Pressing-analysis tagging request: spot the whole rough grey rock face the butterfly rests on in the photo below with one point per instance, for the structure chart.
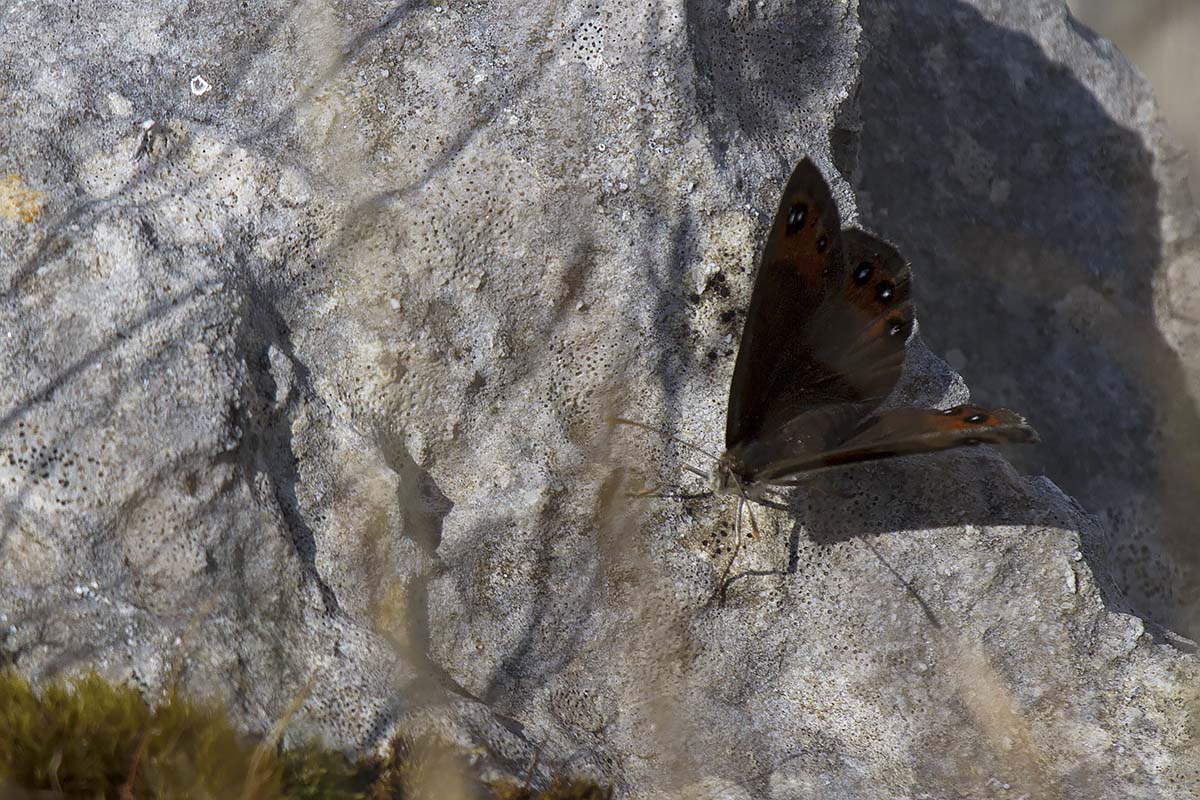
(314, 315)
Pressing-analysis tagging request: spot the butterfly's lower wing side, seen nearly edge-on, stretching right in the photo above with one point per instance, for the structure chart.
(905, 432)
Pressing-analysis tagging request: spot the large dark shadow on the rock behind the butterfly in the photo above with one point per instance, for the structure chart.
(1035, 236)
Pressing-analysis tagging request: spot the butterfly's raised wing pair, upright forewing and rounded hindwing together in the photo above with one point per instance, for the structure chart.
(829, 321)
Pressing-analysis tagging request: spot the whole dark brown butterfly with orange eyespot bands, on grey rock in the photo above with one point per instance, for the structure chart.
(824, 346)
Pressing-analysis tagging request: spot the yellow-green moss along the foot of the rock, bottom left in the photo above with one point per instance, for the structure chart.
(89, 738)
